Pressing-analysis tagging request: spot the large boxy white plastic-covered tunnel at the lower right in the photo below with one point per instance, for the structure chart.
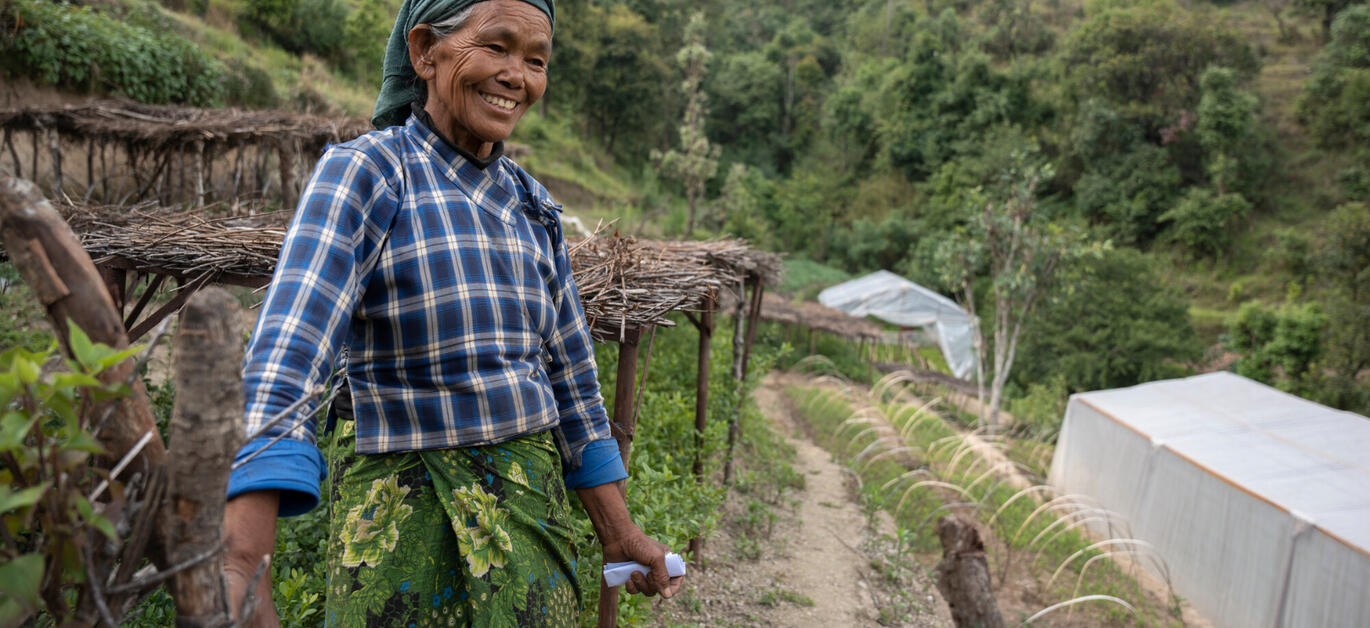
(1258, 501)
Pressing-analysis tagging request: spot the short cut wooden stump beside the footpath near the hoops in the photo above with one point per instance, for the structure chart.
(964, 577)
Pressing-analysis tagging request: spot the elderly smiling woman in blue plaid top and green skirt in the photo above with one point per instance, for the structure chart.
(440, 268)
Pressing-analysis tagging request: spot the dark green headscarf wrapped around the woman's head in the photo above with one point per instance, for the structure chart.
(393, 106)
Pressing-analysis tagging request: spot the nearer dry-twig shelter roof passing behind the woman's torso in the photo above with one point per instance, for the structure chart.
(624, 283)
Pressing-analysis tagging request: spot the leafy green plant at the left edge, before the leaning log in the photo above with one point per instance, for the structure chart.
(51, 527)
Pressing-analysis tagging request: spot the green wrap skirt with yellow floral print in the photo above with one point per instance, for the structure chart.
(451, 538)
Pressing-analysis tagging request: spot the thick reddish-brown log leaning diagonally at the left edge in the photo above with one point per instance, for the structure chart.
(62, 278)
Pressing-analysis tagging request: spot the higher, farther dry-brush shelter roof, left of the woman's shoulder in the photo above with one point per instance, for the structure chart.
(180, 128)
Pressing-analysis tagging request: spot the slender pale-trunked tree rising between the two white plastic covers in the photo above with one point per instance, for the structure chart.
(1023, 256)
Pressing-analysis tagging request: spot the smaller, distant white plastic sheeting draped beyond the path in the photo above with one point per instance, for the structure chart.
(901, 302)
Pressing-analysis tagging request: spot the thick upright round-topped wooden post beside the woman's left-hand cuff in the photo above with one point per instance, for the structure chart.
(205, 435)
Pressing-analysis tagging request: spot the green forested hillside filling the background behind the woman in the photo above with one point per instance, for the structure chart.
(1202, 168)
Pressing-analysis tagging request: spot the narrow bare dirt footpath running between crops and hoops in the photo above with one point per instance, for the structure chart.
(816, 570)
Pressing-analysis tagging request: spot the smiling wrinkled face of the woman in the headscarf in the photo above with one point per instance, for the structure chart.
(484, 76)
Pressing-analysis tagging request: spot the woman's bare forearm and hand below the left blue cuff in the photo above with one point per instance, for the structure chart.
(249, 537)
